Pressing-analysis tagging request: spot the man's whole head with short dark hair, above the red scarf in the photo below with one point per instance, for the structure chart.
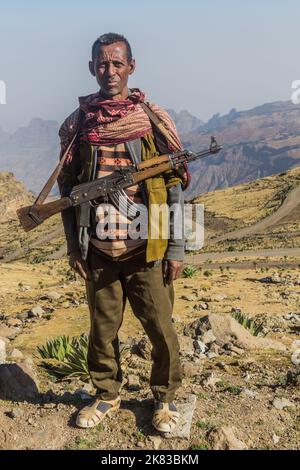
(111, 64)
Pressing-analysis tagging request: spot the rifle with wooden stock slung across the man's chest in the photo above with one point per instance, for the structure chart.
(32, 216)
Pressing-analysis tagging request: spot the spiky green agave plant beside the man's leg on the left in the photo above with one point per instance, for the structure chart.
(66, 357)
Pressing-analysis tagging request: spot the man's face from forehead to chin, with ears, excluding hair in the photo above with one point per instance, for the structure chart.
(111, 69)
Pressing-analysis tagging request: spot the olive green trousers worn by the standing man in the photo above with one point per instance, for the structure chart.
(108, 285)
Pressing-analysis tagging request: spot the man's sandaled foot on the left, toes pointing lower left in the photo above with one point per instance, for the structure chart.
(94, 413)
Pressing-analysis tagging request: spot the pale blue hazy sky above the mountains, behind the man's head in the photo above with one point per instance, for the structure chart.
(206, 56)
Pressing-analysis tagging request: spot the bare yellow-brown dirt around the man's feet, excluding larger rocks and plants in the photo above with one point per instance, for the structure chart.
(49, 421)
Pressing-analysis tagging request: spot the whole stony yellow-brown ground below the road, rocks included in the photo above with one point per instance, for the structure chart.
(239, 391)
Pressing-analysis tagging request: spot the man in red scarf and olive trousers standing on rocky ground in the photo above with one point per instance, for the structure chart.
(115, 131)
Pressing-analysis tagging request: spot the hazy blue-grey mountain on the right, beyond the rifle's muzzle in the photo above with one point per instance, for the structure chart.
(258, 142)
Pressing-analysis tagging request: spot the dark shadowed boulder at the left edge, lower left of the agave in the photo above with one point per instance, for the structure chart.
(17, 382)
